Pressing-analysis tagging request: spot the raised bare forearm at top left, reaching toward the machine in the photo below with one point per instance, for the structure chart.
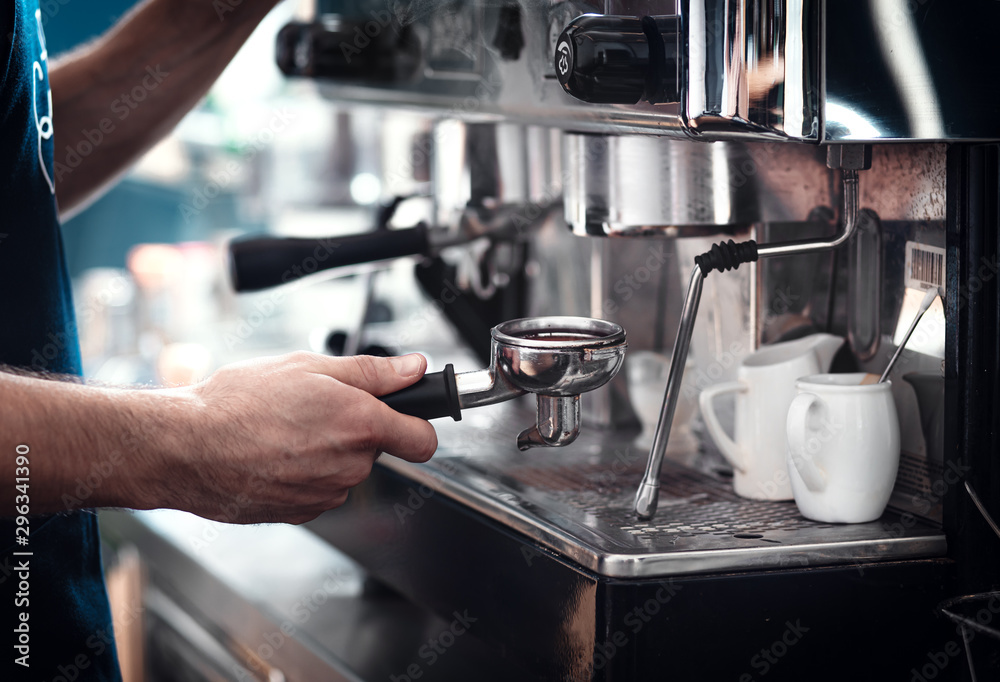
(114, 99)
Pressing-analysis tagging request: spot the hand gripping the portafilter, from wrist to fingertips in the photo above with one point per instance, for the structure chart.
(284, 439)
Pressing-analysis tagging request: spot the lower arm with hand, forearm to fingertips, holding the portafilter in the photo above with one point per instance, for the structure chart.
(275, 439)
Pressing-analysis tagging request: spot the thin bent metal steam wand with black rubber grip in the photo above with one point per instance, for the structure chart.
(726, 256)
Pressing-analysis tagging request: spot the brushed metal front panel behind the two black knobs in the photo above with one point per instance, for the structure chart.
(486, 87)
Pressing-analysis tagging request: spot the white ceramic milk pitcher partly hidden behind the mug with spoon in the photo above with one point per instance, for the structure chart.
(764, 388)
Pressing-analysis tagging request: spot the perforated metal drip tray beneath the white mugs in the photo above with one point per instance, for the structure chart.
(577, 502)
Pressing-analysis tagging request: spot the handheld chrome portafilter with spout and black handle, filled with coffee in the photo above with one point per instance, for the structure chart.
(556, 358)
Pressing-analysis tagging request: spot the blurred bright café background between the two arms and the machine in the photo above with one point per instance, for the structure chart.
(261, 153)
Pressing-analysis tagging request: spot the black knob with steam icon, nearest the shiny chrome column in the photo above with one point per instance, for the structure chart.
(607, 59)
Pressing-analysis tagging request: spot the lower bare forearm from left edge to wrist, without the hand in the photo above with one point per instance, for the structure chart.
(87, 446)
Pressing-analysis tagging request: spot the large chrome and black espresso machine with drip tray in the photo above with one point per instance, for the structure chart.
(709, 177)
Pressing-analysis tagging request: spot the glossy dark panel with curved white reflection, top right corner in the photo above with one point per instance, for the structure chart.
(911, 70)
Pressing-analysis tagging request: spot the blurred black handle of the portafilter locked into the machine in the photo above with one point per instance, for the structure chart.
(262, 262)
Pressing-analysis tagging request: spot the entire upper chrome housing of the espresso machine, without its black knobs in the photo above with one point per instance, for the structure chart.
(792, 69)
